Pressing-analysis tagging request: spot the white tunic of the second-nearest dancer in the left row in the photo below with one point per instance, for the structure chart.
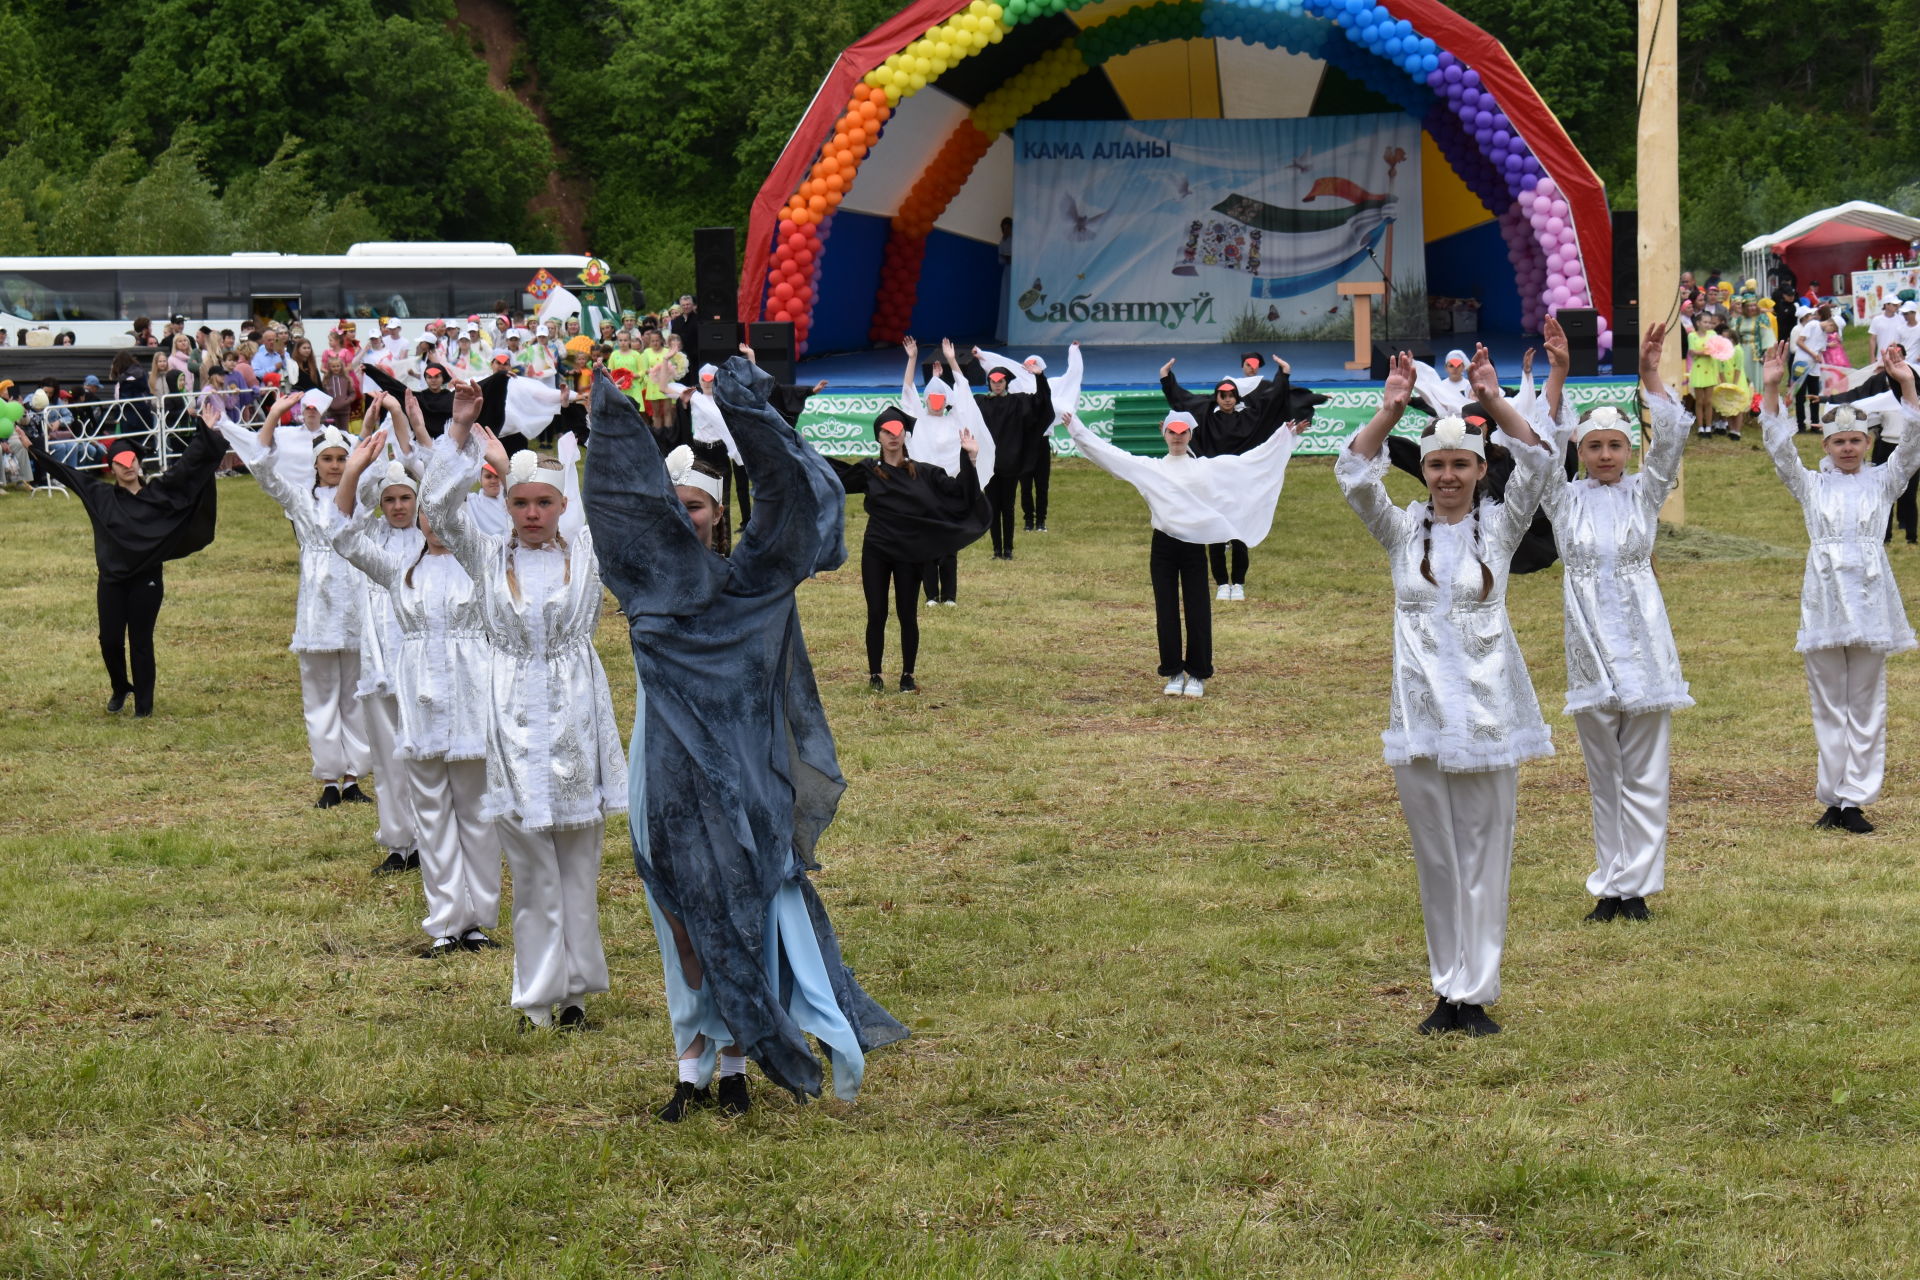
(441, 667)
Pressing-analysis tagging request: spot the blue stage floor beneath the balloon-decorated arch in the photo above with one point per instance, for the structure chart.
(1111, 367)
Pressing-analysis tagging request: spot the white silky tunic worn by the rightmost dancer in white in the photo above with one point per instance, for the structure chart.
(1848, 596)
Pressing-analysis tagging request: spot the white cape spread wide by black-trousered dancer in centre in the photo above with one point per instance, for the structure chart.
(1220, 500)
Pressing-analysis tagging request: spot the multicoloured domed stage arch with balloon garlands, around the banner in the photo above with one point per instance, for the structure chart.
(892, 151)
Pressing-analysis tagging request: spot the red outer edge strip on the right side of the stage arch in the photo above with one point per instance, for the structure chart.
(1581, 187)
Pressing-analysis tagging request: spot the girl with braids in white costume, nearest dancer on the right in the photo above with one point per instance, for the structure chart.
(1464, 713)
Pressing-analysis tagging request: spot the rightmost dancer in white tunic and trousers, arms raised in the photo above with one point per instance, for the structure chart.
(1852, 613)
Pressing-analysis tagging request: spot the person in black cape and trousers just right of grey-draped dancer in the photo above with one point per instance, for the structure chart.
(915, 513)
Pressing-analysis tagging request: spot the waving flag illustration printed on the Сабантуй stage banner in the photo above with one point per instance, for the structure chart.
(1322, 245)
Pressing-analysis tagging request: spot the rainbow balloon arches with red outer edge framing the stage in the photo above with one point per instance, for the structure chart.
(1476, 105)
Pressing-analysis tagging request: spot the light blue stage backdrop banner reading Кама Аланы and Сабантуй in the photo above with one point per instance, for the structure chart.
(1212, 231)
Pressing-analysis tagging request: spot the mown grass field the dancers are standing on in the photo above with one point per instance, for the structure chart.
(1163, 960)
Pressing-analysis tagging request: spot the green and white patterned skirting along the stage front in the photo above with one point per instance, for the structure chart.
(842, 425)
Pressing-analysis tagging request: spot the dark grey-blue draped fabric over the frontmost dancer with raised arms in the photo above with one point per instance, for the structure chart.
(738, 759)
